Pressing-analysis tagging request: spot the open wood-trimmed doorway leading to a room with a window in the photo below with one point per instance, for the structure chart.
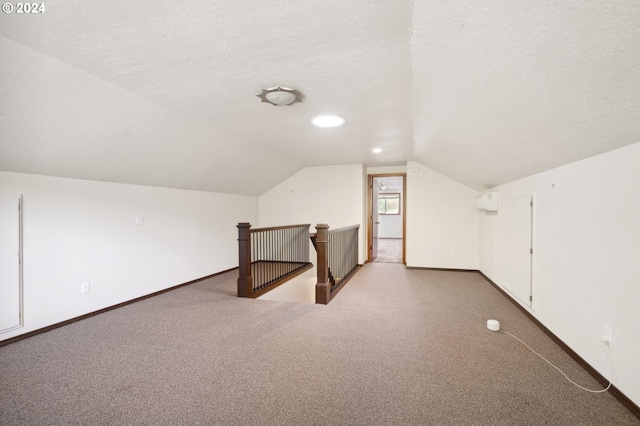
(386, 218)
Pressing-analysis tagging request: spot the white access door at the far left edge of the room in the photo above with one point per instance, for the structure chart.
(10, 284)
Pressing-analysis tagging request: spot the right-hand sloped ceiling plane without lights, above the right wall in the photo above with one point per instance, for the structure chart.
(506, 89)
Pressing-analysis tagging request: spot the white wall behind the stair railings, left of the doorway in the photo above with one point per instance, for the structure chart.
(322, 194)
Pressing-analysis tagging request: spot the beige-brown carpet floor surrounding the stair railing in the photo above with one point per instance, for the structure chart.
(396, 347)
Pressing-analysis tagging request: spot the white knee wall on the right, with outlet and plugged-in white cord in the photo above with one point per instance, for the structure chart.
(586, 261)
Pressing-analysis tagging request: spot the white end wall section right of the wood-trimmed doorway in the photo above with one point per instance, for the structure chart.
(440, 218)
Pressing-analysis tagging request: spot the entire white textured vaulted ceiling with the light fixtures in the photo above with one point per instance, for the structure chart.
(164, 93)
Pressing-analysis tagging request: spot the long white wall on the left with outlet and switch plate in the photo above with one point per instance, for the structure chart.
(77, 231)
